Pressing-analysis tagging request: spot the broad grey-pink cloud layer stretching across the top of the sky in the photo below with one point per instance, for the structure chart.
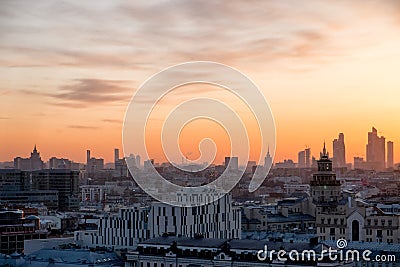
(259, 32)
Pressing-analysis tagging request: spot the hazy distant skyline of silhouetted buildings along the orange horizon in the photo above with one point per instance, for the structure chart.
(304, 157)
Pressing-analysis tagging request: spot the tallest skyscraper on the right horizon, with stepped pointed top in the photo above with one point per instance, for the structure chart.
(375, 150)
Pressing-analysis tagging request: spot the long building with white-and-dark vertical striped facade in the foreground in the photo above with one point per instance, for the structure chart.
(132, 225)
